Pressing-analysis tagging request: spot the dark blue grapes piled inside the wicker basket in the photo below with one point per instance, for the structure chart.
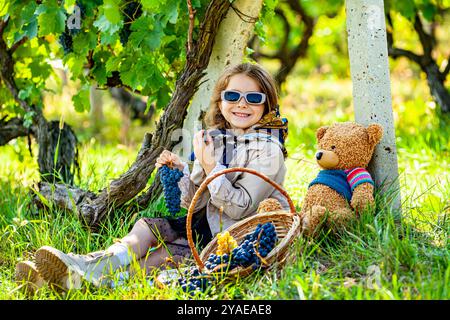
(263, 240)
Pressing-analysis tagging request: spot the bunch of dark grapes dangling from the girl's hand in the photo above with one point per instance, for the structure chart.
(172, 194)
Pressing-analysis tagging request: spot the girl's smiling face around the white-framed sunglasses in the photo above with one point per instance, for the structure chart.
(240, 114)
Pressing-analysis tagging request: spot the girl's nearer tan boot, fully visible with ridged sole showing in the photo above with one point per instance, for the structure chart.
(65, 271)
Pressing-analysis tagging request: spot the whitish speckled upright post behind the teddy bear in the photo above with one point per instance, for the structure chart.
(369, 68)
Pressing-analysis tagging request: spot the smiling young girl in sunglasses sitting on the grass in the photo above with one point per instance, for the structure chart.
(245, 130)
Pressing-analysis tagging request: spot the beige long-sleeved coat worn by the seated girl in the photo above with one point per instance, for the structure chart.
(239, 193)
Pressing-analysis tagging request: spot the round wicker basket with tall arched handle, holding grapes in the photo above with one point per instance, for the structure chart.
(287, 226)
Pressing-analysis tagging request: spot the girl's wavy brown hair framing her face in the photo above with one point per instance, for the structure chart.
(214, 118)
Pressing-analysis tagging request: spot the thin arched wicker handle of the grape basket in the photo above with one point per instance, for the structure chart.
(202, 188)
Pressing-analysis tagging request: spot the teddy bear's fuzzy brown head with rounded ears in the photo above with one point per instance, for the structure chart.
(347, 145)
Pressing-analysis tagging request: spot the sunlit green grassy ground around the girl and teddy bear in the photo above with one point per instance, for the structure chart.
(374, 259)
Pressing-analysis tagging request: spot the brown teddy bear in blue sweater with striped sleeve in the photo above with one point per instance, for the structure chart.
(344, 187)
